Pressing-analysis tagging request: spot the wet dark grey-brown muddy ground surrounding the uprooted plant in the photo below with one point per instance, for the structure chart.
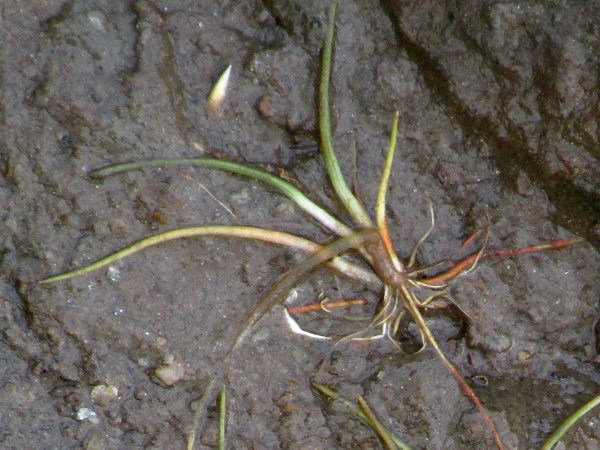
(498, 106)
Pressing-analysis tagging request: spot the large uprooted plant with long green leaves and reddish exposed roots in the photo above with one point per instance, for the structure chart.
(372, 241)
